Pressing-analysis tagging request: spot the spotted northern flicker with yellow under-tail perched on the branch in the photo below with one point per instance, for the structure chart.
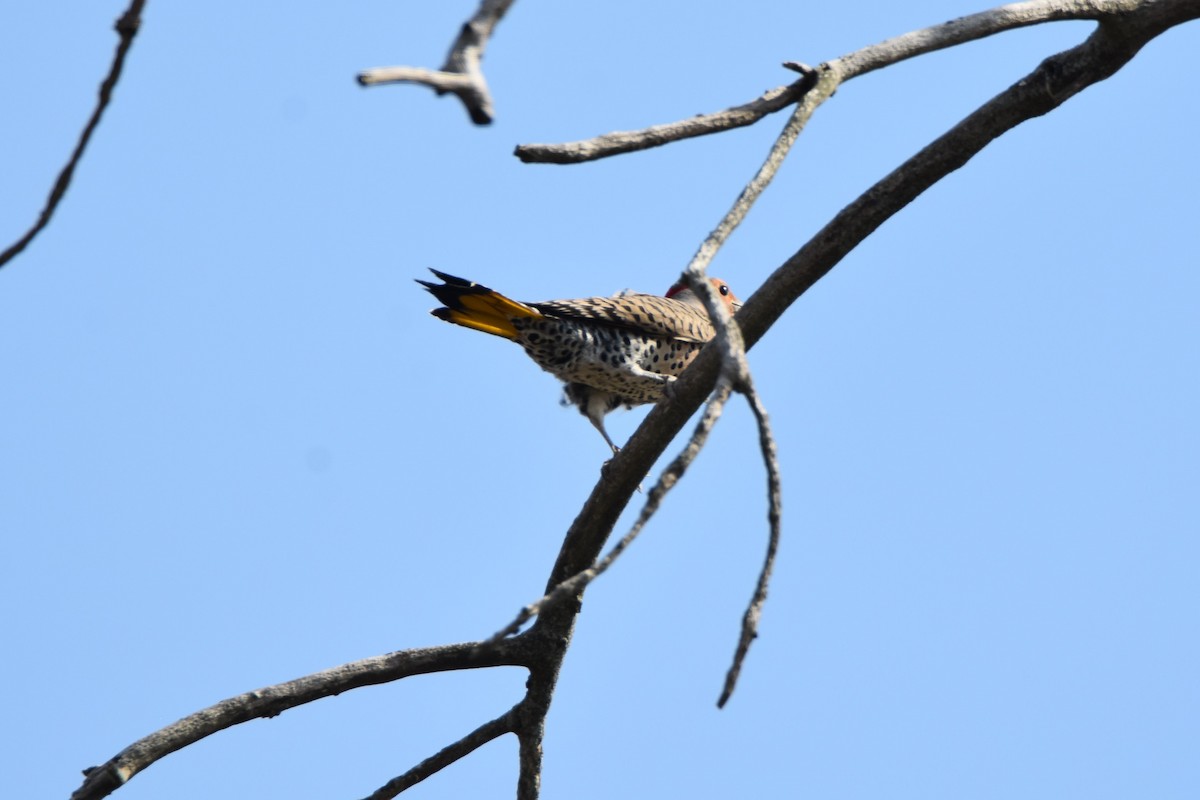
(611, 352)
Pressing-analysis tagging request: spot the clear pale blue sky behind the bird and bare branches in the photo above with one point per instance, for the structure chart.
(236, 449)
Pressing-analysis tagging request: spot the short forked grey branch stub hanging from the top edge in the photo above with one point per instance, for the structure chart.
(463, 74)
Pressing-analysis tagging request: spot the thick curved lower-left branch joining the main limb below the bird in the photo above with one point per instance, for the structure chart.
(273, 701)
